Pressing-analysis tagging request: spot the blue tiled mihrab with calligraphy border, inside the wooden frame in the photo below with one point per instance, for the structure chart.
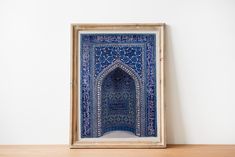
(118, 84)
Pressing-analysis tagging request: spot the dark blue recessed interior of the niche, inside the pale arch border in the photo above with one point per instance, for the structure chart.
(118, 102)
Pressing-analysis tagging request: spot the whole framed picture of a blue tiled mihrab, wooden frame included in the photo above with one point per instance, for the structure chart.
(117, 86)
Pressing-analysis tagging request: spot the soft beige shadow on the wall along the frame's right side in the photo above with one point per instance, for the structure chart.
(174, 120)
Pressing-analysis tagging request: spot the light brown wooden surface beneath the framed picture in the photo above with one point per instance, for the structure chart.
(64, 151)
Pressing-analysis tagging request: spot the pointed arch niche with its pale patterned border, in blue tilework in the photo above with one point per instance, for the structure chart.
(118, 100)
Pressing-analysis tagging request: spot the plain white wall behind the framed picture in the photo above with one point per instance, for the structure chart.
(35, 65)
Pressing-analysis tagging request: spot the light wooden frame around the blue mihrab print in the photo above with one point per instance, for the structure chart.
(75, 27)
